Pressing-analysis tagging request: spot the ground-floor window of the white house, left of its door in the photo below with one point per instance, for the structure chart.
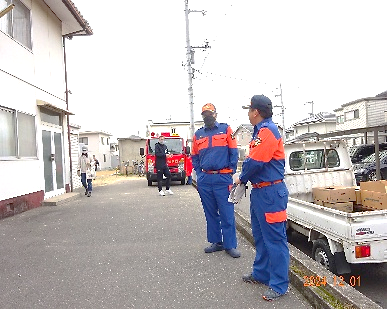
(17, 134)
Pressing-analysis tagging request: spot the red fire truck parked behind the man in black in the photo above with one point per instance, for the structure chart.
(176, 162)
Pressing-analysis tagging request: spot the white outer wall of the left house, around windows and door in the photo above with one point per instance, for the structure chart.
(25, 77)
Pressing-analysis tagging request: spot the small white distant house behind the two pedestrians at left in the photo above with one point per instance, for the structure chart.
(98, 144)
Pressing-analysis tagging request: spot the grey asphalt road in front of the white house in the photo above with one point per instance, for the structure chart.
(124, 247)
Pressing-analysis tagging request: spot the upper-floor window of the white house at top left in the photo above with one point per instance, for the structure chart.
(17, 23)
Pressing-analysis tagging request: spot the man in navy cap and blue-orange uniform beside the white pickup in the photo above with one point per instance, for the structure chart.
(265, 168)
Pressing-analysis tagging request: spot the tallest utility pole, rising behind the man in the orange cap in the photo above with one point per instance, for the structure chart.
(190, 61)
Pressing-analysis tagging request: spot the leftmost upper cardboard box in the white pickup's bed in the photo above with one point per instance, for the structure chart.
(334, 194)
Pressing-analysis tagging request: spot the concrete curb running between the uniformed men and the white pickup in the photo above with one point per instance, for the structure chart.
(303, 268)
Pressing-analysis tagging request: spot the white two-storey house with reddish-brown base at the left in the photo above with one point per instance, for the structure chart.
(34, 151)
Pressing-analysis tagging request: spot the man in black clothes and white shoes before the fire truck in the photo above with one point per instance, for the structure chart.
(161, 152)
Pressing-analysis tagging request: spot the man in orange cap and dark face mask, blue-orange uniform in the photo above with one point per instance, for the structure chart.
(215, 158)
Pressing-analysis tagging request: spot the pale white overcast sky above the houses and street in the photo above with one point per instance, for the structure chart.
(130, 70)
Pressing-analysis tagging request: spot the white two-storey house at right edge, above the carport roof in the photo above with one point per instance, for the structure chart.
(361, 113)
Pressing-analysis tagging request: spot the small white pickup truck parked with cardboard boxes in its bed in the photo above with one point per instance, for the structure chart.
(339, 238)
